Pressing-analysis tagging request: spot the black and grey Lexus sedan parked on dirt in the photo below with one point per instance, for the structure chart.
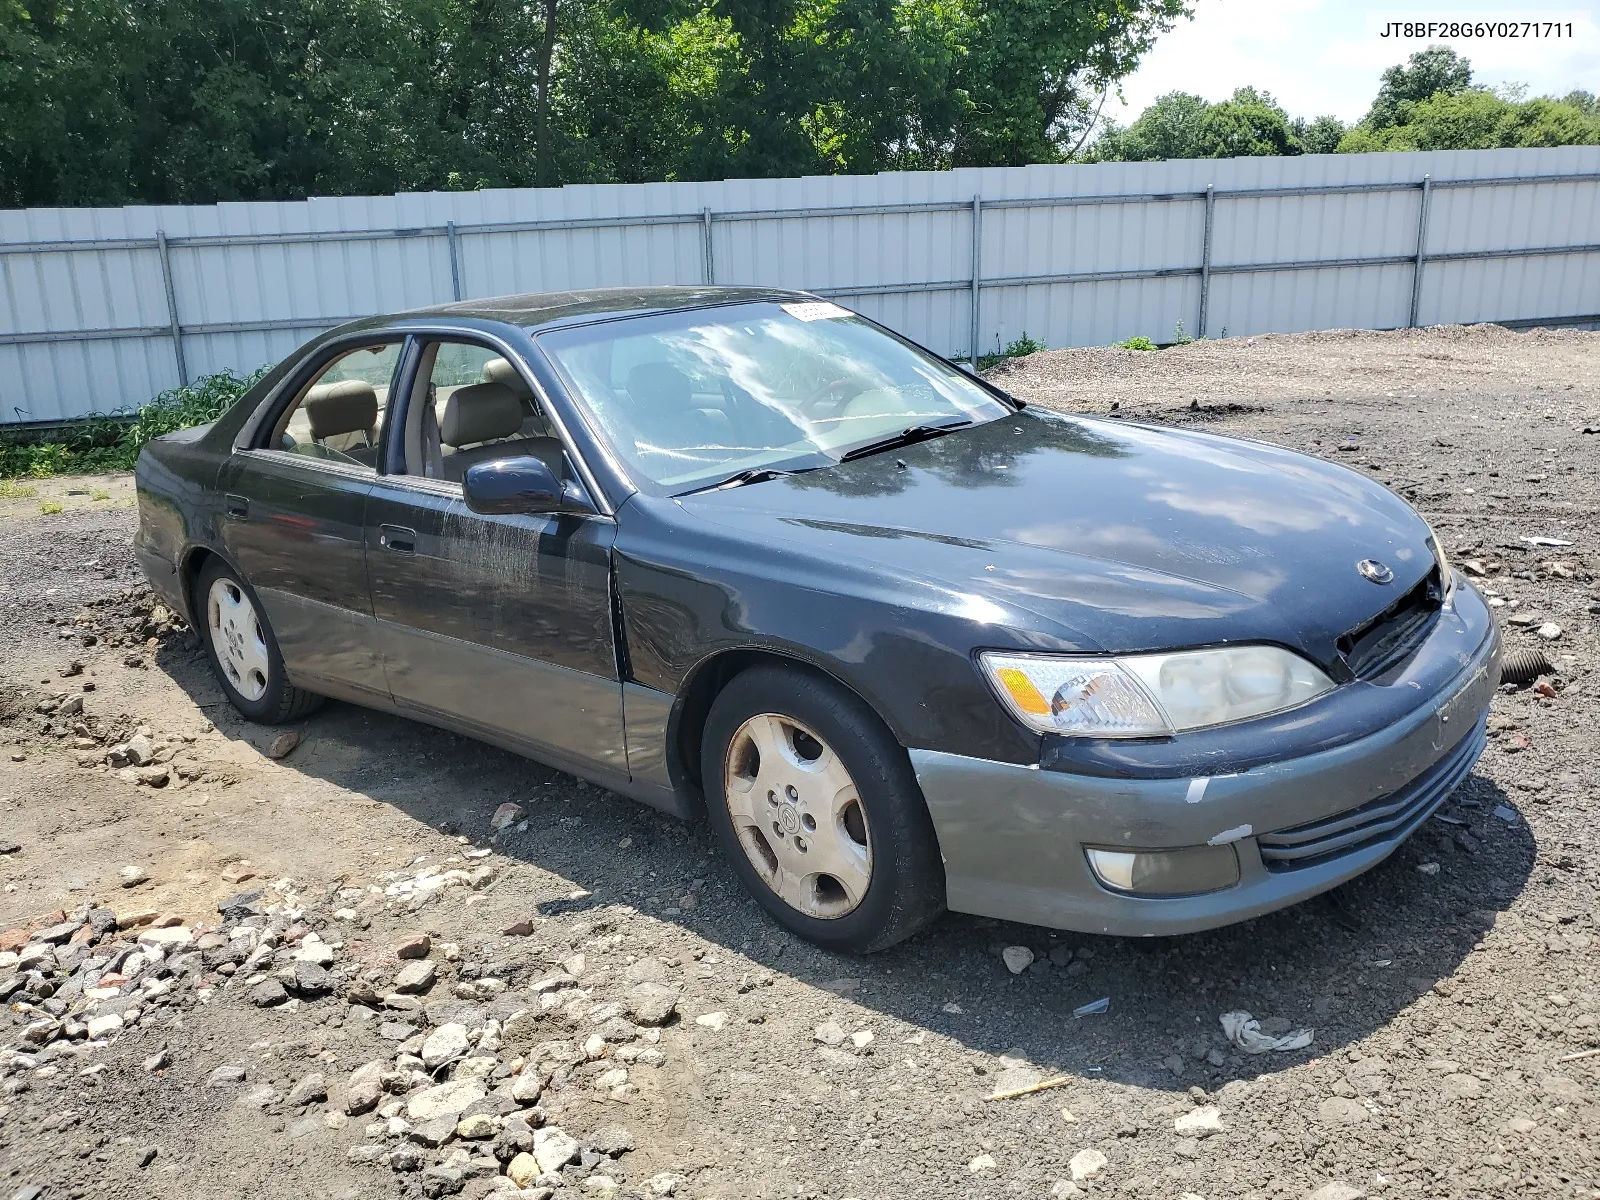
(905, 641)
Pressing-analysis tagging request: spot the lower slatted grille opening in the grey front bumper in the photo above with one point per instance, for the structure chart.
(1390, 818)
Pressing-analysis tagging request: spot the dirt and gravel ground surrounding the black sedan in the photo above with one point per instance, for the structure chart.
(1444, 990)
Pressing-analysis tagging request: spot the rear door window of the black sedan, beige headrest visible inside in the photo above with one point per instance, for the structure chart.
(340, 414)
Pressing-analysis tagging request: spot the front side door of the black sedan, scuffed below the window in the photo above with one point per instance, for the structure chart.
(498, 625)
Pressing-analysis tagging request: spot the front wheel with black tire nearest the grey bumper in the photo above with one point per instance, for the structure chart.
(828, 828)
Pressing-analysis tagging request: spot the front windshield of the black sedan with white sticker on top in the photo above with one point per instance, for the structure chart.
(689, 399)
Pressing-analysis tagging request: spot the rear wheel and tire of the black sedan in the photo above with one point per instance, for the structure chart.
(242, 649)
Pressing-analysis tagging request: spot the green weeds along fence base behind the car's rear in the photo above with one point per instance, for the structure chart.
(102, 442)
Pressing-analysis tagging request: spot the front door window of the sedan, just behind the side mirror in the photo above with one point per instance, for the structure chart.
(478, 409)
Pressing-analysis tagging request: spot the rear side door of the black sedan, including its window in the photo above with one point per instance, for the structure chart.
(294, 519)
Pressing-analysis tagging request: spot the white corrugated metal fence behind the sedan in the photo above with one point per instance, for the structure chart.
(100, 310)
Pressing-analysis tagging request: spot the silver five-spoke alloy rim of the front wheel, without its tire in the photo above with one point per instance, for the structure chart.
(799, 817)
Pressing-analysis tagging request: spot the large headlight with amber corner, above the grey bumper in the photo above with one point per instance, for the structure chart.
(1151, 695)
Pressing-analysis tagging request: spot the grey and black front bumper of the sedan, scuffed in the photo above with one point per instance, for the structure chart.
(1014, 838)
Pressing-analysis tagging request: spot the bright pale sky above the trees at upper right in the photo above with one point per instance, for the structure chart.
(1326, 57)
